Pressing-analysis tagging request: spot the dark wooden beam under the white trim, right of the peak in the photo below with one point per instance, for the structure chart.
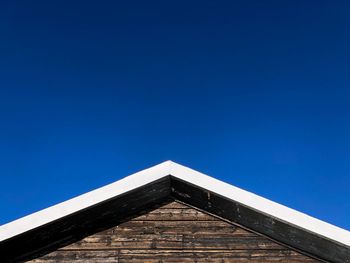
(291, 235)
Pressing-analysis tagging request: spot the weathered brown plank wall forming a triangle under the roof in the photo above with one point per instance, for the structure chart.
(175, 233)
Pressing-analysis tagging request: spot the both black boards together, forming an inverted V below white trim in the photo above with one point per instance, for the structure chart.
(114, 211)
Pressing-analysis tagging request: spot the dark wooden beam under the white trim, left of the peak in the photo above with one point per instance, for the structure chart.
(69, 229)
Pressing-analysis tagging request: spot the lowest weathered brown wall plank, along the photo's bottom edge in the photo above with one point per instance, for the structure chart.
(175, 256)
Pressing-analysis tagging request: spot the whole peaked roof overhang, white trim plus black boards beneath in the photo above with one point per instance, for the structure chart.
(114, 204)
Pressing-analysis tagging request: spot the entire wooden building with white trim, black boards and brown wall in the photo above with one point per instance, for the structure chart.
(170, 213)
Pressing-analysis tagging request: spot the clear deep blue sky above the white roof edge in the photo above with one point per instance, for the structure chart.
(255, 93)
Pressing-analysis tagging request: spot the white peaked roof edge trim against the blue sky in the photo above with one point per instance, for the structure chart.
(186, 174)
